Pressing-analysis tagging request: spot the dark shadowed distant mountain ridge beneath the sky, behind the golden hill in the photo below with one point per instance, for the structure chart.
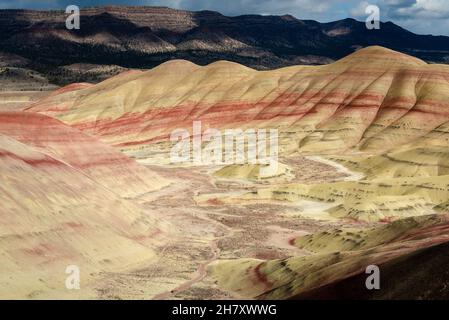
(143, 37)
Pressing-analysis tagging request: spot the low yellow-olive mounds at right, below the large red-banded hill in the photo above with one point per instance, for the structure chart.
(389, 186)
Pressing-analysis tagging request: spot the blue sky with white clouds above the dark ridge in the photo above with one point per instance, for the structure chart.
(420, 16)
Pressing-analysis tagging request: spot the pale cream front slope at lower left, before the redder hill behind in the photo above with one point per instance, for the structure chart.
(53, 215)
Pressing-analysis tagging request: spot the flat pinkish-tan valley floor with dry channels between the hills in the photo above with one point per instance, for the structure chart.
(206, 233)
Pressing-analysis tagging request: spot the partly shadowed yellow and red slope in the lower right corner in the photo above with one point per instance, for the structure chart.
(321, 275)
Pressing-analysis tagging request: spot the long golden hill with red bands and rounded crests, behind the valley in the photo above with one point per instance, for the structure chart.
(375, 99)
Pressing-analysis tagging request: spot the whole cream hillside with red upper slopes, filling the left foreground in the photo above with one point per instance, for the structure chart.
(63, 203)
